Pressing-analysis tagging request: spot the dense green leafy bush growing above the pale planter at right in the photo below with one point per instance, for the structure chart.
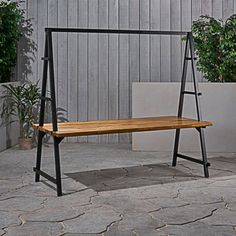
(215, 44)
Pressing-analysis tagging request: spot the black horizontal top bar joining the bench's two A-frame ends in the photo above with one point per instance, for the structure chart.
(115, 31)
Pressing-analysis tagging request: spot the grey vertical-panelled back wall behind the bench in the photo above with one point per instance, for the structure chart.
(94, 73)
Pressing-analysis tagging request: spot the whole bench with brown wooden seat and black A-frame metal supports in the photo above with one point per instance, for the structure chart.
(60, 130)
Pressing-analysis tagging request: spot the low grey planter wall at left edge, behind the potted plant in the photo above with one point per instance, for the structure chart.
(8, 133)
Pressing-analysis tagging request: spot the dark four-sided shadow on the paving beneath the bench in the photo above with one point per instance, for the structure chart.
(130, 177)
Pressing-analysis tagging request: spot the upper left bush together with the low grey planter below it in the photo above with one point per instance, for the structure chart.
(15, 42)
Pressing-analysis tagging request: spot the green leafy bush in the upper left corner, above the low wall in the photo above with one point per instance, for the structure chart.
(14, 29)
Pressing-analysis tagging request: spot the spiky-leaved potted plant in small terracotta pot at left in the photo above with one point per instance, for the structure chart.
(20, 104)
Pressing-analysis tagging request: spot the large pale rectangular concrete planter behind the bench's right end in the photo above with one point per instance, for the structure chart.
(160, 99)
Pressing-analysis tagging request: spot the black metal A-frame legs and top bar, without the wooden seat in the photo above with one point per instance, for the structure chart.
(48, 64)
